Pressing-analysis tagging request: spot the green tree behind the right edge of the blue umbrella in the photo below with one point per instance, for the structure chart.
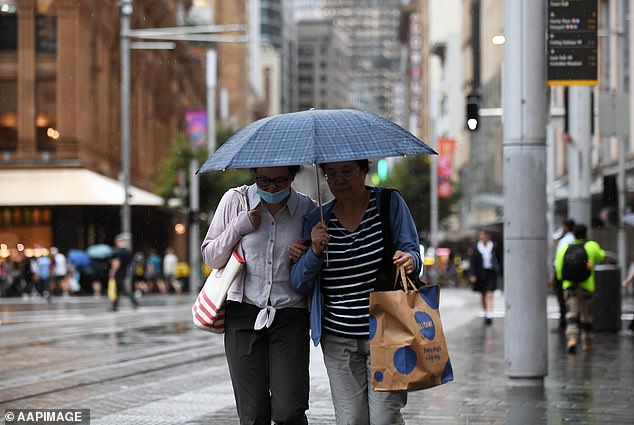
(411, 177)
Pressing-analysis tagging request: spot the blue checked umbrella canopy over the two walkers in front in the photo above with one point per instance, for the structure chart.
(314, 137)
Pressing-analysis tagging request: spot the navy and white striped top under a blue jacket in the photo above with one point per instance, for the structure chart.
(349, 275)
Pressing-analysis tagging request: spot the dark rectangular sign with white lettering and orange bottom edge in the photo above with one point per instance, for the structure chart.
(572, 42)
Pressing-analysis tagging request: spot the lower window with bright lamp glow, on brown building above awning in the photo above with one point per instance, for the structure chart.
(47, 133)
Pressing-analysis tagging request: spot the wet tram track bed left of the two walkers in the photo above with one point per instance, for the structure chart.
(56, 354)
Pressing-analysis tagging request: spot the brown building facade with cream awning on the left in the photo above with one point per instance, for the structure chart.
(60, 132)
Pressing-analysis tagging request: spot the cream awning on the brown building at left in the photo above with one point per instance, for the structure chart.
(67, 186)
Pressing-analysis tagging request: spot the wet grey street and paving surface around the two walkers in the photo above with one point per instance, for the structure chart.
(150, 366)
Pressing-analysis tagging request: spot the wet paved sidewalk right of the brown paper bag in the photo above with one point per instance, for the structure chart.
(586, 388)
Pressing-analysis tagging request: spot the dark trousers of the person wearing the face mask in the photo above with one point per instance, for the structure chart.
(268, 367)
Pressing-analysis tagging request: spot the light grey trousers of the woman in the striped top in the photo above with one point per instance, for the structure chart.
(356, 403)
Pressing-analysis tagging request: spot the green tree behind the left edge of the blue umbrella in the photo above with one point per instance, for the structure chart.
(212, 185)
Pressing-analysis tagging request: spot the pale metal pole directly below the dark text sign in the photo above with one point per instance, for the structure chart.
(578, 152)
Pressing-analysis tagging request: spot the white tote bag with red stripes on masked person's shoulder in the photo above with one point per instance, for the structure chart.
(208, 312)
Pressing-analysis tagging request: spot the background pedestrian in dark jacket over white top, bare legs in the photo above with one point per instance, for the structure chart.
(483, 270)
